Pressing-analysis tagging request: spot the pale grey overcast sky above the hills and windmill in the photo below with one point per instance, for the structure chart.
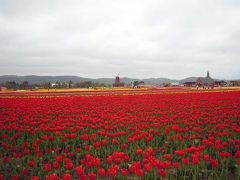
(135, 38)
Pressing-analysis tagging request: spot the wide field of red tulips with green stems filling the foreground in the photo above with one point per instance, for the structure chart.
(173, 135)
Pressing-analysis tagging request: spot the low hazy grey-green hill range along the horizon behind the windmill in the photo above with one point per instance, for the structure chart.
(32, 79)
